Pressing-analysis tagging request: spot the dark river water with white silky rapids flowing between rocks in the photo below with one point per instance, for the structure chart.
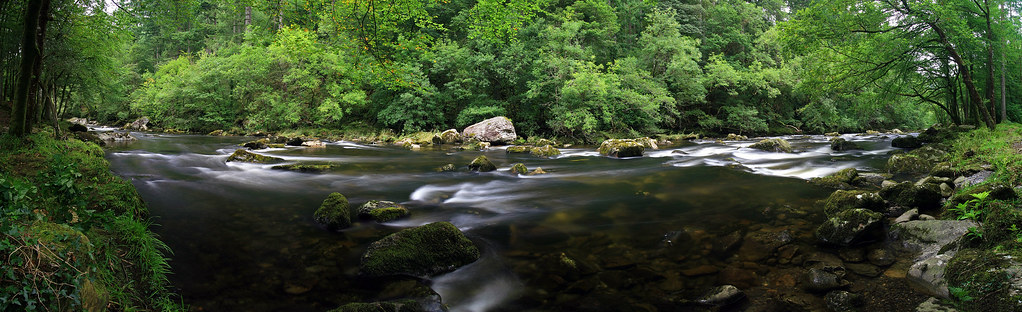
(641, 232)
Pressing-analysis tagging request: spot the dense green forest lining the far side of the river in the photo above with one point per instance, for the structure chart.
(572, 69)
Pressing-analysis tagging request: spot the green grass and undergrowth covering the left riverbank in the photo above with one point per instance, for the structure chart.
(73, 236)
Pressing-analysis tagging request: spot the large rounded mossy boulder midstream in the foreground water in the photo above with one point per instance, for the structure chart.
(422, 252)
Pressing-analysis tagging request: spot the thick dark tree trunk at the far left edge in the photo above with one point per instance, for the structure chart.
(20, 113)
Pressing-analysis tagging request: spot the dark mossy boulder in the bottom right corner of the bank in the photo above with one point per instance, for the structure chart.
(987, 281)
